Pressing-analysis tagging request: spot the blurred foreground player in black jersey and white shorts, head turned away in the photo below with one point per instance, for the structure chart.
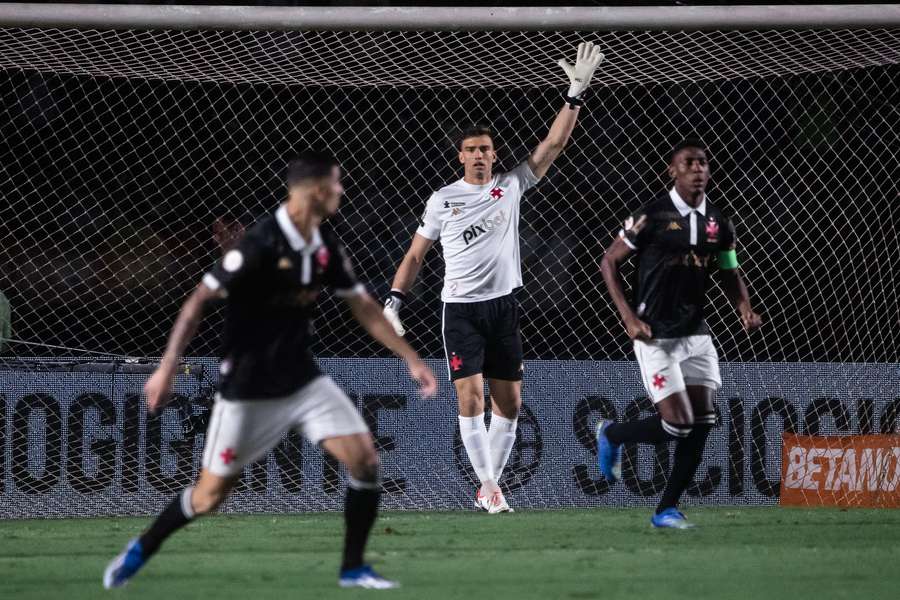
(270, 382)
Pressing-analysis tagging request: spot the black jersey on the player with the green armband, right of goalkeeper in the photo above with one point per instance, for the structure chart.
(676, 247)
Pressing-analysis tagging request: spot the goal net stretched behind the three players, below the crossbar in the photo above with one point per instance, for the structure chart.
(131, 157)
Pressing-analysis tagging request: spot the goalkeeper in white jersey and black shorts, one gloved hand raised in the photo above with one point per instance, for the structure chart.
(477, 220)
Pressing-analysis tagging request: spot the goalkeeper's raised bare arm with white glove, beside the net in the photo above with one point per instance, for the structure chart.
(588, 58)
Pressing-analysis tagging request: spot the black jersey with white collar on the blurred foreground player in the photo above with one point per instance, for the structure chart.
(271, 282)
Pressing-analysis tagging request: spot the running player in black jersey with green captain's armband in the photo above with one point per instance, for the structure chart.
(677, 238)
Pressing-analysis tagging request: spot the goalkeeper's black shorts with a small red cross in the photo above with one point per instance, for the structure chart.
(483, 337)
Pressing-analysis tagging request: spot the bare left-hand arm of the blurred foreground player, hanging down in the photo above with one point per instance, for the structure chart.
(158, 387)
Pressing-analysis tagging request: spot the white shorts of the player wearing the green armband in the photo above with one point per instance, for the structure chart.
(668, 365)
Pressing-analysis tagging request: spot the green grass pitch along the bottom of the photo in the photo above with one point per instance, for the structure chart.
(758, 553)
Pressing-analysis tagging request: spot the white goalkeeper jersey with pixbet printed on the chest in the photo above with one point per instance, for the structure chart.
(478, 226)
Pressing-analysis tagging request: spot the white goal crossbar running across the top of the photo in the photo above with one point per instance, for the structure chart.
(673, 18)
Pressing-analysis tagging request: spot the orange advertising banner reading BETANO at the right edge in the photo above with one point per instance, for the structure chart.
(848, 471)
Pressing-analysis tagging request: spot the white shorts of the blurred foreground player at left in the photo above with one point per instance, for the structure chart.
(242, 431)
